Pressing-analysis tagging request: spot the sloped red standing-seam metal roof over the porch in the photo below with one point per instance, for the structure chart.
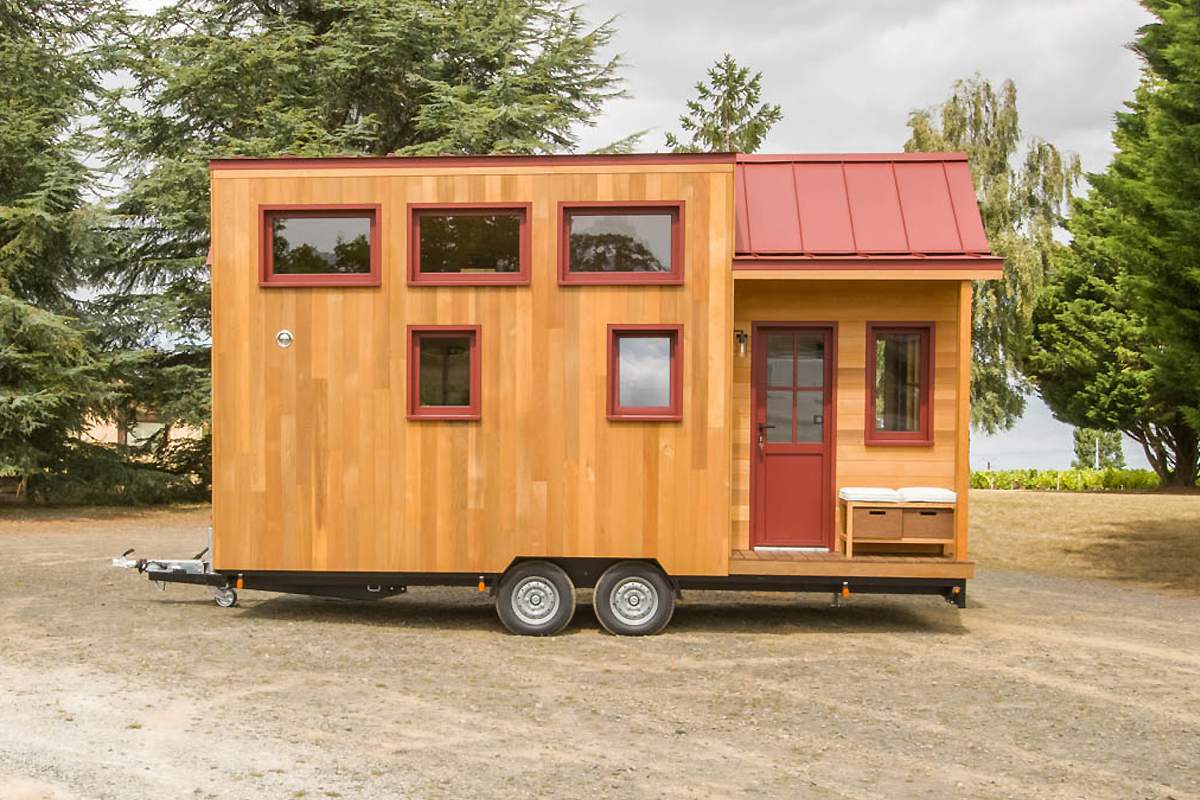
(896, 206)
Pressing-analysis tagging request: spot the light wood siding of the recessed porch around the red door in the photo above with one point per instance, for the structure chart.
(851, 306)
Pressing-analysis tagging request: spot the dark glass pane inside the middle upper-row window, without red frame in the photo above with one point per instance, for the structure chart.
(470, 243)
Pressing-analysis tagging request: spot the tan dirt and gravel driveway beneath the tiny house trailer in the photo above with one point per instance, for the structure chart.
(1047, 688)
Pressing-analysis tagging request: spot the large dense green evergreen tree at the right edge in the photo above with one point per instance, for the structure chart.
(1118, 334)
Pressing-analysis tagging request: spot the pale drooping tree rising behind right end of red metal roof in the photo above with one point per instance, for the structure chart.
(1023, 191)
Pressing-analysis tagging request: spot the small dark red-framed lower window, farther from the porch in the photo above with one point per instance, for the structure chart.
(443, 372)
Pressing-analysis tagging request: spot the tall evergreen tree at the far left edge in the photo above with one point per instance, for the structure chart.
(51, 378)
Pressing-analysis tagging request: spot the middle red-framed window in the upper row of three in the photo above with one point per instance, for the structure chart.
(479, 244)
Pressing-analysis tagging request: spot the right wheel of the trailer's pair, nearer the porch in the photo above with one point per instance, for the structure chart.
(634, 599)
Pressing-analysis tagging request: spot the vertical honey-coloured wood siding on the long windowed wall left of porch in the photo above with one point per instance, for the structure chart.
(316, 466)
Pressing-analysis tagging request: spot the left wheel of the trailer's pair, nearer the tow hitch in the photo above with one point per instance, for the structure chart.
(536, 599)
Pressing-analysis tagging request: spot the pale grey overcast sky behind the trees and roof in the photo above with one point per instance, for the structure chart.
(848, 74)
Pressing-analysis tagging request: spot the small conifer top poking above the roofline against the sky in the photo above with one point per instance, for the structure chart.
(727, 115)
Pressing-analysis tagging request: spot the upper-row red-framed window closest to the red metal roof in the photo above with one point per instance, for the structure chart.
(621, 244)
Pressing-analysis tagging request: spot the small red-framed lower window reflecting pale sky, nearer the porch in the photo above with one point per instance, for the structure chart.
(645, 372)
